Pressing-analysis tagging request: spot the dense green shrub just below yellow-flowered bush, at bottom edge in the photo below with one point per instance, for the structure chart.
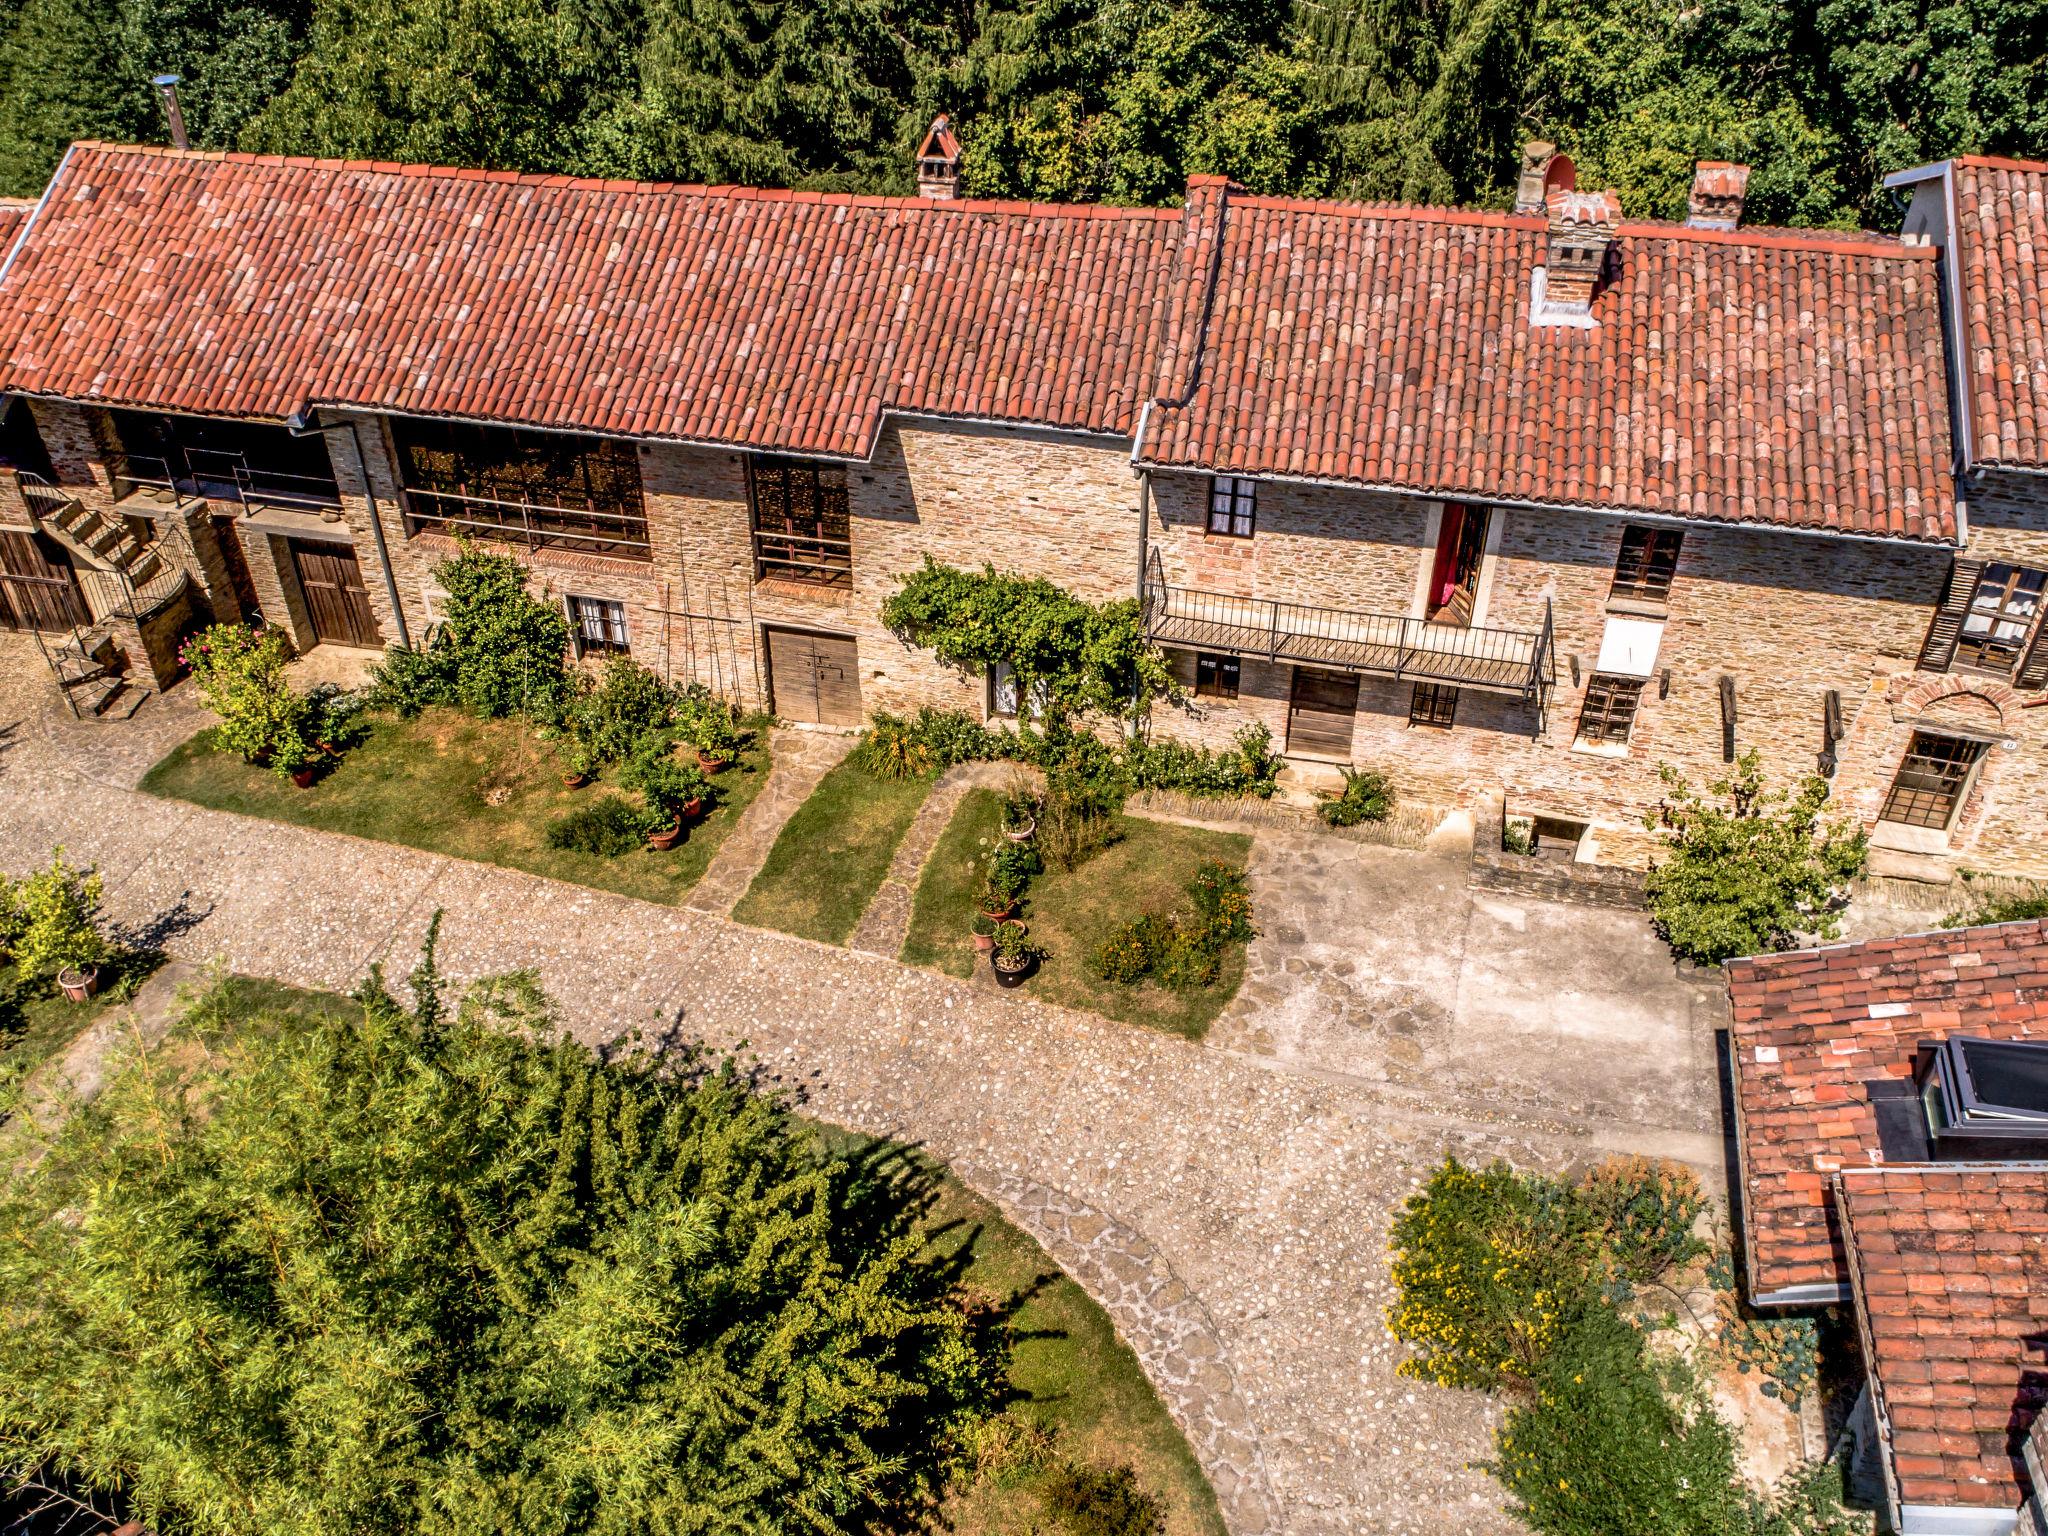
(1603, 1449)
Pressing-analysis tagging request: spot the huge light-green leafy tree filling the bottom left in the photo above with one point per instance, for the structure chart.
(445, 1271)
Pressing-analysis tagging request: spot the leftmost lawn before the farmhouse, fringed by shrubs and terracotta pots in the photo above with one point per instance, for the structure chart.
(458, 785)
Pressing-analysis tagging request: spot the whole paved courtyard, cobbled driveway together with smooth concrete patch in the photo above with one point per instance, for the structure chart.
(1230, 1203)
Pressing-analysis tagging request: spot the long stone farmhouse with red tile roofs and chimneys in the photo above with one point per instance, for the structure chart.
(1517, 507)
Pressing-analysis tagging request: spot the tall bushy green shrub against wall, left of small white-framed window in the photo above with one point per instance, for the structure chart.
(509, 646)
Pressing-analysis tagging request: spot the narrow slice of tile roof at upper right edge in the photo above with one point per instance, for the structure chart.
(2002, 257)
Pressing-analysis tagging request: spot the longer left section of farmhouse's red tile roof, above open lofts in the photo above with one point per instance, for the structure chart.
(255, 286)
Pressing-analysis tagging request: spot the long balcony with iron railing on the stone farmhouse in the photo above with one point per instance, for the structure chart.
(1394, 646)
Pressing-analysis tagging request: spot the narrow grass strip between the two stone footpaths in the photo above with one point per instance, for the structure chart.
(833, 855)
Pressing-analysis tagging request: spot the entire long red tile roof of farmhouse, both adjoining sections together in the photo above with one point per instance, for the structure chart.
(1752, 376)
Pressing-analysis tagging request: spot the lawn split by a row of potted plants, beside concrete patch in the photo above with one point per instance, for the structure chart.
(1072, 910)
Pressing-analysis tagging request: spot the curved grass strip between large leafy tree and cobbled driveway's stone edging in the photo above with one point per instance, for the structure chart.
(1074, 1377)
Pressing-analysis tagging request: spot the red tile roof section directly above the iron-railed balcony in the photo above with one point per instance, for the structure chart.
(1744, 376)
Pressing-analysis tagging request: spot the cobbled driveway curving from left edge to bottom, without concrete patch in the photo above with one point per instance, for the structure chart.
(1244, 1195)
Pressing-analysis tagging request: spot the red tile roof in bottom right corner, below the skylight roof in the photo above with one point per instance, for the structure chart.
(1953, 1299)
